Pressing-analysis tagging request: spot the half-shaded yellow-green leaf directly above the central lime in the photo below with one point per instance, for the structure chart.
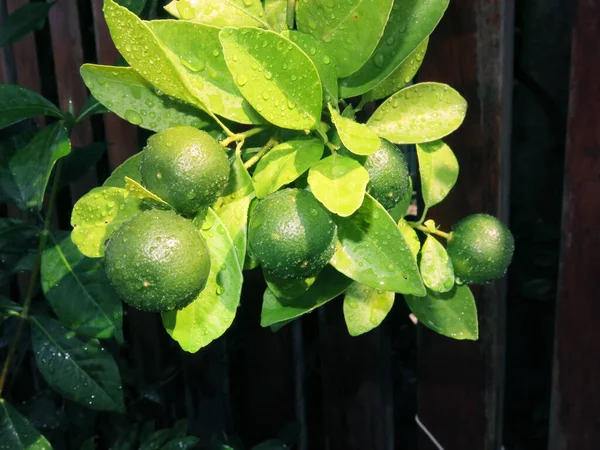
(285, 163)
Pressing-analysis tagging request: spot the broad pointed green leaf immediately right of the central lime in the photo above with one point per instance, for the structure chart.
(372, 250)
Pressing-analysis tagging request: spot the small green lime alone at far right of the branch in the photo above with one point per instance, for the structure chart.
(481, 248)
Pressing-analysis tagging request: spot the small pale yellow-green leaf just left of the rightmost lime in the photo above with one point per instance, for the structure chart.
(436, 267)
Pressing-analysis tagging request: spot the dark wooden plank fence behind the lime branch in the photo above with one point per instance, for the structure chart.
(525, 108)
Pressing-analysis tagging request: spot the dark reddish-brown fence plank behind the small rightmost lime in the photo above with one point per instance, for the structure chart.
(460, 383)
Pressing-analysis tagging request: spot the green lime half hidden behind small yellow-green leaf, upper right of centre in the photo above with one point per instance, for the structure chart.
(389, 175)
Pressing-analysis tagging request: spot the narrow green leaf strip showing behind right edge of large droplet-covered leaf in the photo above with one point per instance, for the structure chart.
(317, 52)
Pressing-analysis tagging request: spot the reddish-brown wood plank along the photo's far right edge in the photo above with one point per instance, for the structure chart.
(575, 389)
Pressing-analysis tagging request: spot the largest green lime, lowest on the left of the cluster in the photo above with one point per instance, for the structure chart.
(157, 261)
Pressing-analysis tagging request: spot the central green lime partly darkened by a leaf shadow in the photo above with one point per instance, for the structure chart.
(292, 234)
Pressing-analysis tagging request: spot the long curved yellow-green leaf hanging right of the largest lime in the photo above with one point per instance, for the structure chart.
(213, 311)
